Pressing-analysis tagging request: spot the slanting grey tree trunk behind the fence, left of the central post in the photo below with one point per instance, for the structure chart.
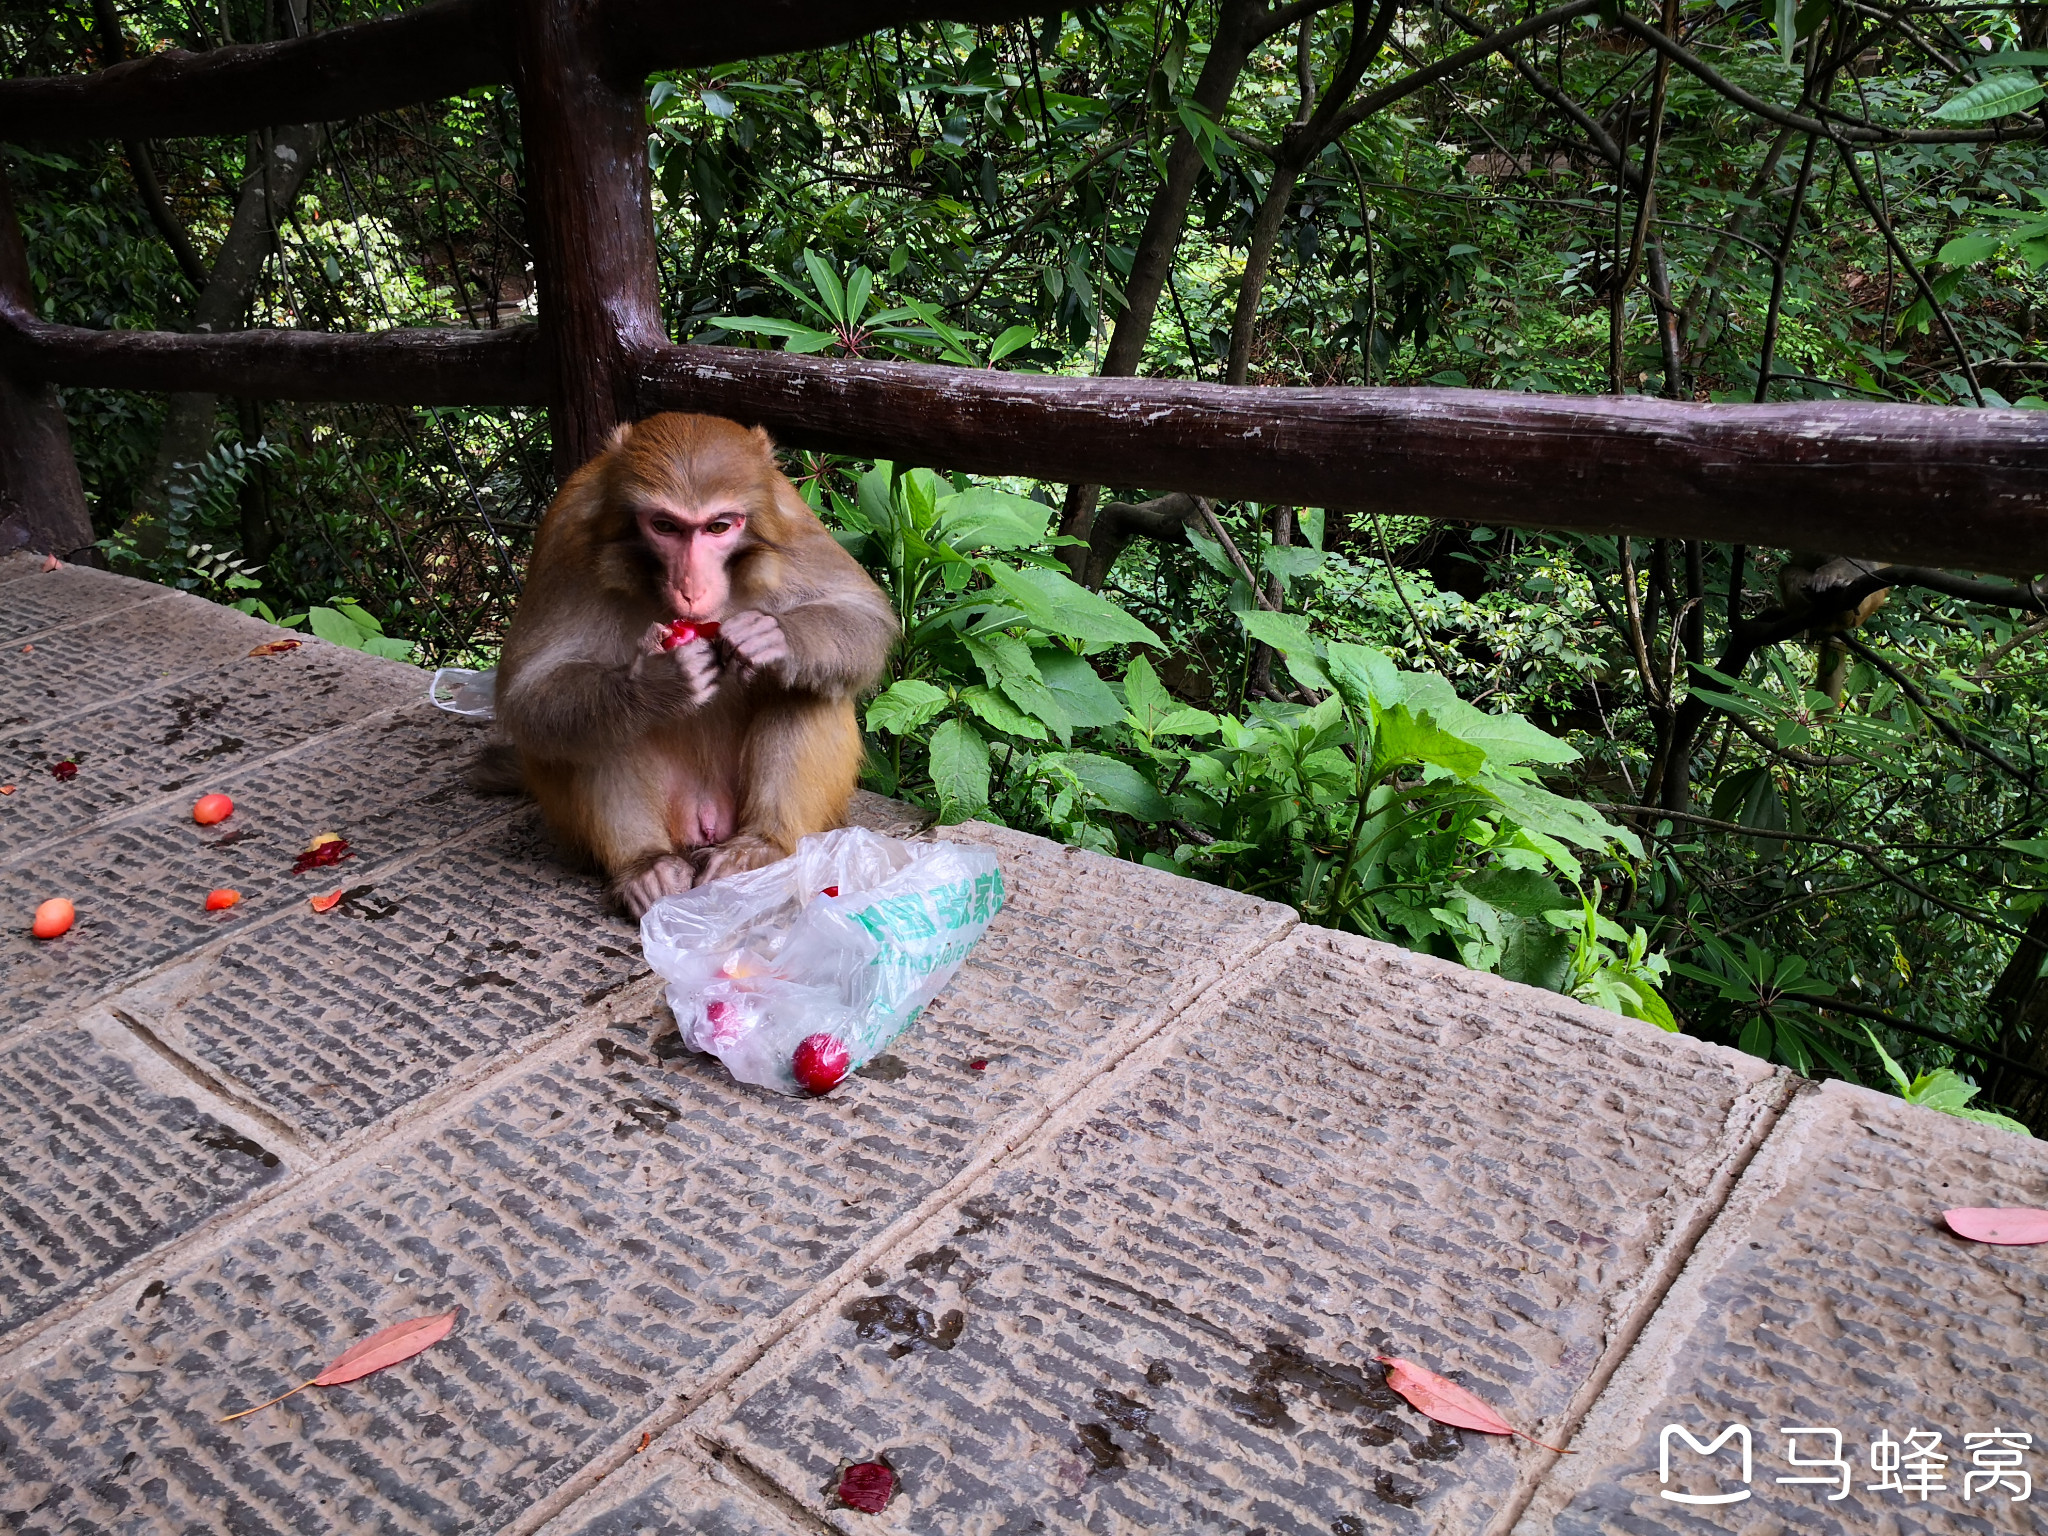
(191, 423)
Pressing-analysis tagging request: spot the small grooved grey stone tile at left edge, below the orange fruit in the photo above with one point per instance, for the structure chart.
(99, 1166)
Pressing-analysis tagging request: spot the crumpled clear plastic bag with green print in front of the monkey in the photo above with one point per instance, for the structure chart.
(849, 939)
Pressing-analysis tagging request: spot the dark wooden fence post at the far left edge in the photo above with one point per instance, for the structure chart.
(40, 488)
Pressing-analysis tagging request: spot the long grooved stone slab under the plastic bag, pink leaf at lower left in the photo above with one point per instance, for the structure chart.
(615, 1226)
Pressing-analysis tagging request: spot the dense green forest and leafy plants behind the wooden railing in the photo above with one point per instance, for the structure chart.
(1740, 792)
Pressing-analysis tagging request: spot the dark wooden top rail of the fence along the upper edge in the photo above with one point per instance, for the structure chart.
(437, 50)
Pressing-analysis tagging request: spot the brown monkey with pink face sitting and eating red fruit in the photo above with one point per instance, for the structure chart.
(675, 767)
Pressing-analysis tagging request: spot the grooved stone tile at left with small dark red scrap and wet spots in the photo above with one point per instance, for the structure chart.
(187, 734)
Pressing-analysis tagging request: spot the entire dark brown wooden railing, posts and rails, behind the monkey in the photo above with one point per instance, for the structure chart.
(1934, 486)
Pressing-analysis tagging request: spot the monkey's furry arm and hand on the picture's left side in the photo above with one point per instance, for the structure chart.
(577, 708)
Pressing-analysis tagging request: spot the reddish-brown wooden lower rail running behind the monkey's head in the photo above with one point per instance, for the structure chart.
(1916, 484)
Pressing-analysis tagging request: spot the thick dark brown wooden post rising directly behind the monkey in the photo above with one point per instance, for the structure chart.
(591, 224)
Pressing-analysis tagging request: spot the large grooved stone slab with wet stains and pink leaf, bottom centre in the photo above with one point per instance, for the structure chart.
(1168, 1318)
